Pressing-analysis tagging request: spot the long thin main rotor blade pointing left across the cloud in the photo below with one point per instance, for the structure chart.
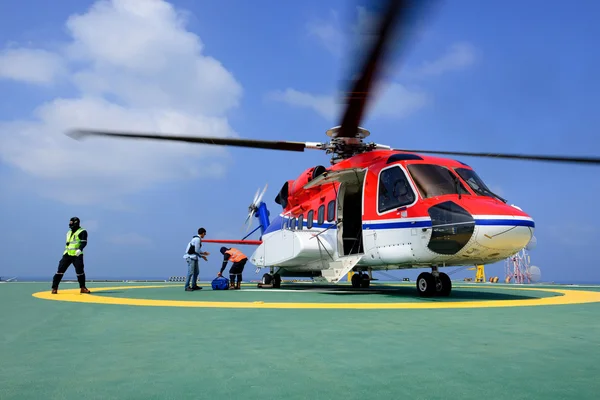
(252, 143)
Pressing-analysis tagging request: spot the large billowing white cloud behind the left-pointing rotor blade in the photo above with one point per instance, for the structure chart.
(136, 68)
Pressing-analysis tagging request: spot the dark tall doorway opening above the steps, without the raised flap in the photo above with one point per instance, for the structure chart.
(349, 208)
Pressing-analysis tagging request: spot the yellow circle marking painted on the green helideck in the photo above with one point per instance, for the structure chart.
(73, 295)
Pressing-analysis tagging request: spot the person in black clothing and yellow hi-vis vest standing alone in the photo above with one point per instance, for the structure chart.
(73, 254)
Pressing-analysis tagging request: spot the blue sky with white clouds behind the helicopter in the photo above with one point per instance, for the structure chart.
(494, 76)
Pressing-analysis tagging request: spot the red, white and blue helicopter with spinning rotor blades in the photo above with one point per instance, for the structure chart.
(376, 207)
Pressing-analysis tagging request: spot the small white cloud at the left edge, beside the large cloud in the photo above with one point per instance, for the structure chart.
(31, 66)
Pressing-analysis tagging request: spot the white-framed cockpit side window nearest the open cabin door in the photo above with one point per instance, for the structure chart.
(394, 190)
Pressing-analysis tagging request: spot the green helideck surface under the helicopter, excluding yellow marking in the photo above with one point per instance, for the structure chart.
(64, 350)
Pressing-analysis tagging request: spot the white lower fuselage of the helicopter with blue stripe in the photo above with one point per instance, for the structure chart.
(390, 244)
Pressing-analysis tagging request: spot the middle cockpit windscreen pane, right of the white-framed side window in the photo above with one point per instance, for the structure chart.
(435, 180)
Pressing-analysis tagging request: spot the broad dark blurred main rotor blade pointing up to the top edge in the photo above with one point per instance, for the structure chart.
(360, 91)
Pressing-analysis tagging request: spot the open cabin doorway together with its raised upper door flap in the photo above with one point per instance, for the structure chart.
(349, 207)
